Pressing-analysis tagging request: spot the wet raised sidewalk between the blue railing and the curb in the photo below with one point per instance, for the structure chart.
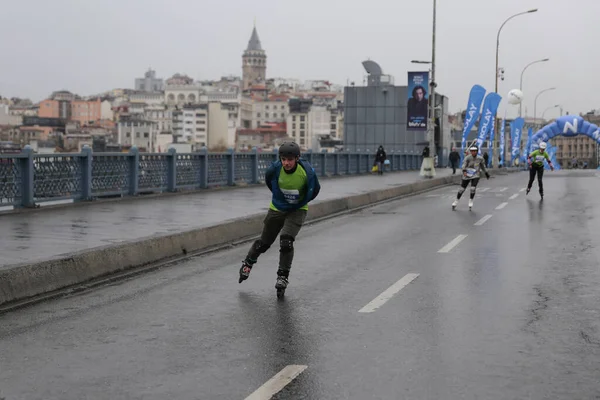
(45, 233)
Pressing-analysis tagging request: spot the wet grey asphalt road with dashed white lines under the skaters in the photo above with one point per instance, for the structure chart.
(510, 312)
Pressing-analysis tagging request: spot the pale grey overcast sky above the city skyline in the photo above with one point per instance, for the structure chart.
(92, 46)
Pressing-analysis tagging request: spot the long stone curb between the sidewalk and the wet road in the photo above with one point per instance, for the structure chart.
(24, 281)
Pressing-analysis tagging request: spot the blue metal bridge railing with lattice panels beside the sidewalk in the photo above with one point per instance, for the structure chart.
(28, 178)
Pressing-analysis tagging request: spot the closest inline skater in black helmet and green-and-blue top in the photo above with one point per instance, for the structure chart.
(293, 184)
